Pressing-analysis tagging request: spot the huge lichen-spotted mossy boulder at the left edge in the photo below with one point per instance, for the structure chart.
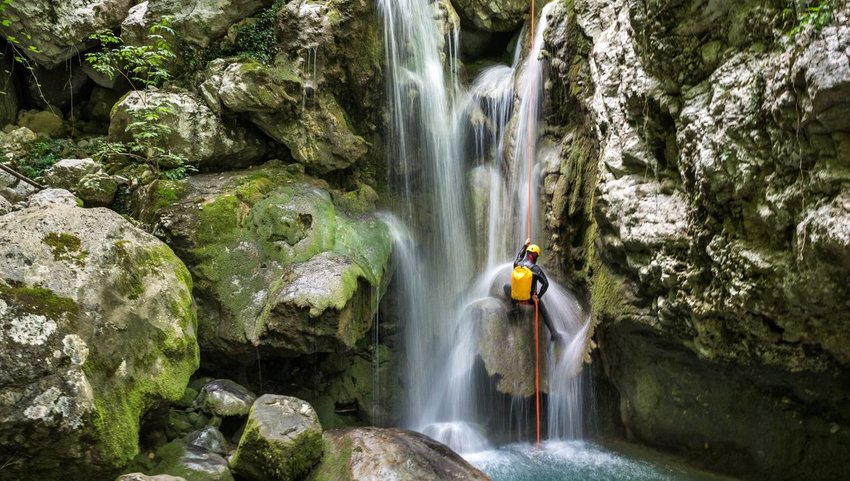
(98, 324)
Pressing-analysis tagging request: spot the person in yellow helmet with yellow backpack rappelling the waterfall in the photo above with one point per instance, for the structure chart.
(525, 278)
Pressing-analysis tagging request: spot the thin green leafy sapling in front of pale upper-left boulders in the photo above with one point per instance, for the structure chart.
(145, 67)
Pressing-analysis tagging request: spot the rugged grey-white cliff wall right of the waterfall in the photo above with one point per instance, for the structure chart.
(702, 201)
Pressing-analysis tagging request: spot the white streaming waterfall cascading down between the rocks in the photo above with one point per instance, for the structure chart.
(437, 294)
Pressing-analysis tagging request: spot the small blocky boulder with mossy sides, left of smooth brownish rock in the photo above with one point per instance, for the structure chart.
(282, 440)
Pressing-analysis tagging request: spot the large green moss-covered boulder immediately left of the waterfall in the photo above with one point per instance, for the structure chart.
(278, 265)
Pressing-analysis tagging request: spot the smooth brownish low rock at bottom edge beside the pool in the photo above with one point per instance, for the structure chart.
(361, 454)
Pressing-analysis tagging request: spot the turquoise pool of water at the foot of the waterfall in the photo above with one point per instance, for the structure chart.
(581, 460)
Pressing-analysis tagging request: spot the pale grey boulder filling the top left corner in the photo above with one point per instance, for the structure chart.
(59, 31)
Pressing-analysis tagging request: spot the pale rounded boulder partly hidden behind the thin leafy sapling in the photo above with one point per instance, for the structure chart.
(197, 133)
